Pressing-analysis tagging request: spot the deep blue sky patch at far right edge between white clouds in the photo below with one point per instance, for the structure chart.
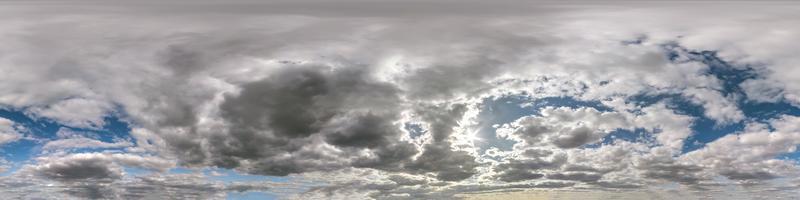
(730, 75)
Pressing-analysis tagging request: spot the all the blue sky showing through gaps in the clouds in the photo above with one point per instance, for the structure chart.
(493, 111)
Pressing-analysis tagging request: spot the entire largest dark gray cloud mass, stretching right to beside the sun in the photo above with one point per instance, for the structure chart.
(300, 108)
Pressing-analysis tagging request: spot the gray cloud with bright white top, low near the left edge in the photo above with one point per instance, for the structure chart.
(83, 175)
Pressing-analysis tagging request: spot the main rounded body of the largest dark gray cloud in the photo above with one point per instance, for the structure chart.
(299, 106)
